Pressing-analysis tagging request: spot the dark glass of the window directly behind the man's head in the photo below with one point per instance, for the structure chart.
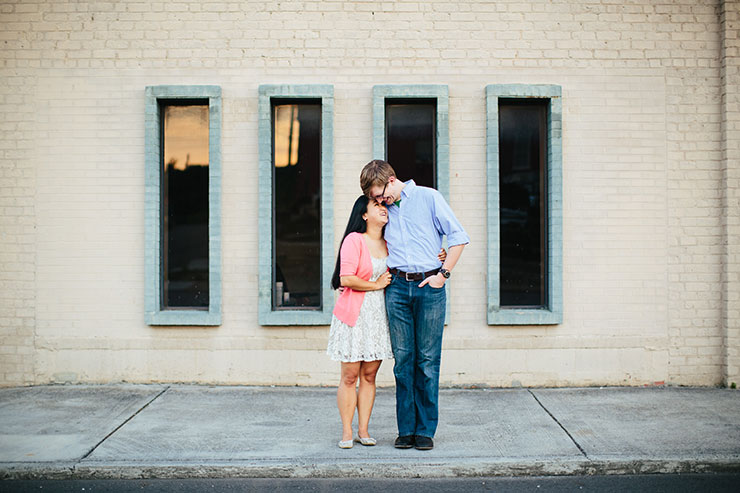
(411, 142)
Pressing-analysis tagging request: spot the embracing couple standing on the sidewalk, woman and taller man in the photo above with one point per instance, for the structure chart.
(405, 322)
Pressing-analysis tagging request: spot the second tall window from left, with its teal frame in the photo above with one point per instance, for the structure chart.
(295, 184)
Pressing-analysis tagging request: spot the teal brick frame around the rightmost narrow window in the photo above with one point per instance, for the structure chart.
(553, 313)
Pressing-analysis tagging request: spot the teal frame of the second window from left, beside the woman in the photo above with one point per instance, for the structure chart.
(286, 316)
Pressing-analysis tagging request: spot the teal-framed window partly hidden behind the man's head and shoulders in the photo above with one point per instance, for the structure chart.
(410, 131)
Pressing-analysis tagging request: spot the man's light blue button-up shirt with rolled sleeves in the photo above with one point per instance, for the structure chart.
(415, 229)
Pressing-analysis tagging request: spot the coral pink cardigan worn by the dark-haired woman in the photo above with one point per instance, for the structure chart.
(354, 261)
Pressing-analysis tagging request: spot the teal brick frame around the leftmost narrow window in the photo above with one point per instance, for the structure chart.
(155, 315)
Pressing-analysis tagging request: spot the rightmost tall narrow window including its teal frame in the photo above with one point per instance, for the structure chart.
(524, 204)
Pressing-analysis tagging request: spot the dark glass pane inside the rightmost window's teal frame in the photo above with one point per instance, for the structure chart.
(522, 185)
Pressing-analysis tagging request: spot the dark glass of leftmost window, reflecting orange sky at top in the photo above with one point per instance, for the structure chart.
(185, 205)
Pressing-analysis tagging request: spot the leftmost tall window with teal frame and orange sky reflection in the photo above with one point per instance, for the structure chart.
(183, 267)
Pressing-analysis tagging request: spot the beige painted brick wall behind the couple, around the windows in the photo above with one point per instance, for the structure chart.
(643, 168)
